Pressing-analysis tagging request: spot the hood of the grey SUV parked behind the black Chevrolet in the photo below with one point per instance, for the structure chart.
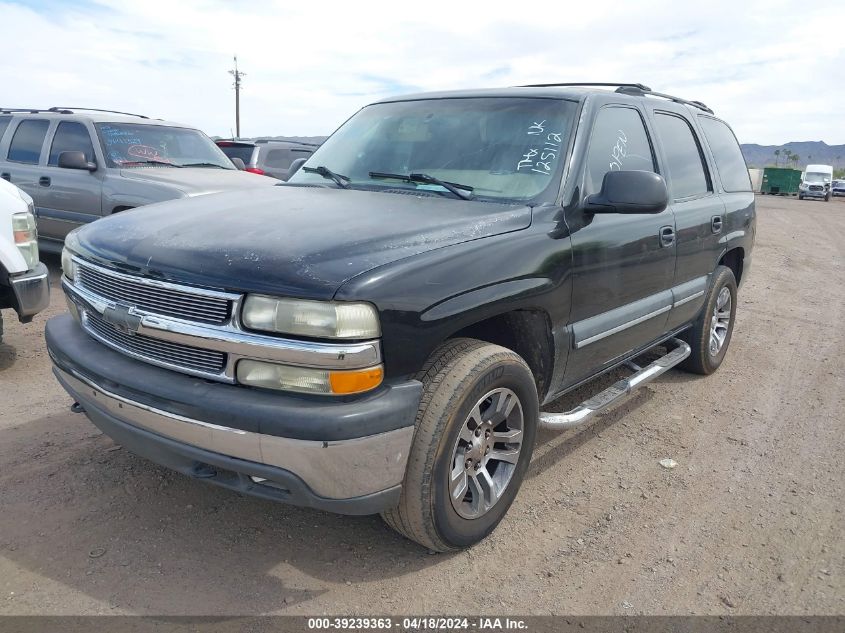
(198, 180)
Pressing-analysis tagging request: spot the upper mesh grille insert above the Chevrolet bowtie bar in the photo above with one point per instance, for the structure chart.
(157, 298)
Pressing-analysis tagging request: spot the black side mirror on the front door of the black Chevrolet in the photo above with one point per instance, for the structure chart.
(629, 192)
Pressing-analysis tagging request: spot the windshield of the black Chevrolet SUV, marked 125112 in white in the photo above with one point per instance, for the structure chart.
(495, 148)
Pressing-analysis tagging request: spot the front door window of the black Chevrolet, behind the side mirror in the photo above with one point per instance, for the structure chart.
(619, 142)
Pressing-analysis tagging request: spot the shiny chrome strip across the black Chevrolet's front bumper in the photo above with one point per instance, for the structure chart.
(335, 470)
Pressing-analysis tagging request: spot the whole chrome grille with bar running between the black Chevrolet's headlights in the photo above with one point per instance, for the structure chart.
(188, 329)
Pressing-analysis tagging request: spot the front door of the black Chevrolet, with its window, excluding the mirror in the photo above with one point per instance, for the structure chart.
(623, 264)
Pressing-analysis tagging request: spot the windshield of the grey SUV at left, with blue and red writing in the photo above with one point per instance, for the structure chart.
(132, 145)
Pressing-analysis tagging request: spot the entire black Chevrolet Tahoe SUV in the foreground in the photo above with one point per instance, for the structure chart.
(381, 333)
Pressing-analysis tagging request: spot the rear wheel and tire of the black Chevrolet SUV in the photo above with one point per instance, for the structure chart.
(702, 359)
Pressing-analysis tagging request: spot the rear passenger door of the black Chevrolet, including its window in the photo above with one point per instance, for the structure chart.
(698, 209)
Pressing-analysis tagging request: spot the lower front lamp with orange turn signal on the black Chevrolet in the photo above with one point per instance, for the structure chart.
(301, 379)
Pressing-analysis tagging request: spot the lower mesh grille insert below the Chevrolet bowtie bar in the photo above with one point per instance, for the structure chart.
(191, 359)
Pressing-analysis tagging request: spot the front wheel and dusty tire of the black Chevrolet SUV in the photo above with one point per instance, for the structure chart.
(464, 377)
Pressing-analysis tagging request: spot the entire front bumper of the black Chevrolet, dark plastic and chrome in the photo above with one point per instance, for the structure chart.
(346, 457)
